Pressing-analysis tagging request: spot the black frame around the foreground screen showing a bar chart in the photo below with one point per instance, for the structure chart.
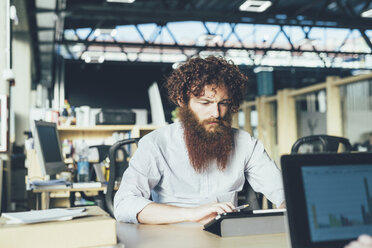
(295, 195)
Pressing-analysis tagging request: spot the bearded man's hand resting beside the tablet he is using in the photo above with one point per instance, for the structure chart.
(205, 213)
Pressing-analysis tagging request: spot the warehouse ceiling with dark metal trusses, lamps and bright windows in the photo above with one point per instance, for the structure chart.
(317, 33)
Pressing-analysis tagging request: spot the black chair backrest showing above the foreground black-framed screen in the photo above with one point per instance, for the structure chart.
(322, 144)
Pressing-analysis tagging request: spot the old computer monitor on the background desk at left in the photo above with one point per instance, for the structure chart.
(48, 148)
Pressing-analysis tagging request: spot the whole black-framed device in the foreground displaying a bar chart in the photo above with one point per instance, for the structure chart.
(329, 198)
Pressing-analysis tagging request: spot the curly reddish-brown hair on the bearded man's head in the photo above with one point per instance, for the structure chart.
(196, 73)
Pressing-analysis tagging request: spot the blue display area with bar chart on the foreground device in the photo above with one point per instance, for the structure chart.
(338, 201)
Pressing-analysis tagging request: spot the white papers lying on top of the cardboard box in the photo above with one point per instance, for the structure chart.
(36, 216)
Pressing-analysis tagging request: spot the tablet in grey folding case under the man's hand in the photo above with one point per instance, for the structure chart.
(248, 223)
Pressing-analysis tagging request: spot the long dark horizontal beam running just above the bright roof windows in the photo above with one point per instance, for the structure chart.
(77, 16)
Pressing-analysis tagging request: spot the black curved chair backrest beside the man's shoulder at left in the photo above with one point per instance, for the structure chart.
(114, 169)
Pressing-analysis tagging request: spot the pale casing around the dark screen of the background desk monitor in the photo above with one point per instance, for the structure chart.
(48, 168)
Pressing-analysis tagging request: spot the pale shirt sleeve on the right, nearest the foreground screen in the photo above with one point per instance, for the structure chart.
(263, 174)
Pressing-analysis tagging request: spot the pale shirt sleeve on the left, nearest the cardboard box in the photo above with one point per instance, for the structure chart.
(138, 180)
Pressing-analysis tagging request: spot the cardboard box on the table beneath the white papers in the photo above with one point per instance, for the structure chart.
(95, 229)
